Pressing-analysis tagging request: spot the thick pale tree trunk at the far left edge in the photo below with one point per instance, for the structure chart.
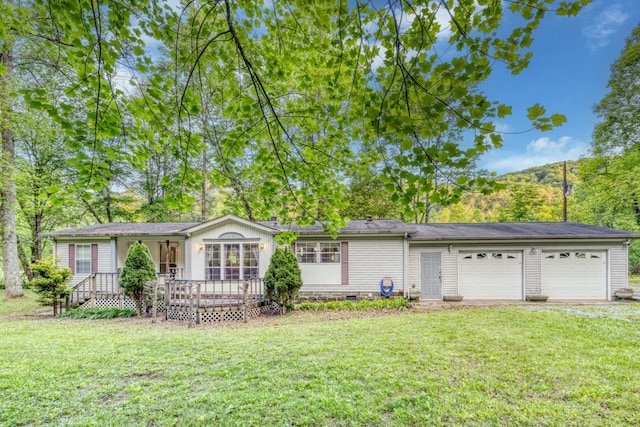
(10, 263)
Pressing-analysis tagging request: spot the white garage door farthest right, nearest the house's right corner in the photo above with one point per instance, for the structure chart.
(574, 274)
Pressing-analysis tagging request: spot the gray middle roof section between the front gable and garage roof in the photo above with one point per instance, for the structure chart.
(376, 226)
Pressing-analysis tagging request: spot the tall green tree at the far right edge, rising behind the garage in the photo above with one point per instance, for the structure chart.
(612, 177)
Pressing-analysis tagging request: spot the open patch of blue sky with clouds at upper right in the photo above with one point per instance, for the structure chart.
(568, 74)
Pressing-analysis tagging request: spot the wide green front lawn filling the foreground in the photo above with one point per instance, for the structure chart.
(497, 366)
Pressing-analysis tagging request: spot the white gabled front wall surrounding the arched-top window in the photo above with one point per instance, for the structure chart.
(255, 234)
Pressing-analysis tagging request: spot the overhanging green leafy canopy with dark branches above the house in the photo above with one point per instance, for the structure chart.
(277, 103)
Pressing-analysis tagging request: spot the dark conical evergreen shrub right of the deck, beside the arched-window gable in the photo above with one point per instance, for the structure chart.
(283, 278)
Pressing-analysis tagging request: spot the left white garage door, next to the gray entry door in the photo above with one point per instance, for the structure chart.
(490, 275)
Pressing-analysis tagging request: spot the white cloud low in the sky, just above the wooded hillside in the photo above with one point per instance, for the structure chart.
(538, 152)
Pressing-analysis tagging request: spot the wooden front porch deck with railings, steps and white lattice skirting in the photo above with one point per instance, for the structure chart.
(192, 301)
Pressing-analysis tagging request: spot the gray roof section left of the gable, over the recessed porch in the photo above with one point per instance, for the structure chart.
(126, 229)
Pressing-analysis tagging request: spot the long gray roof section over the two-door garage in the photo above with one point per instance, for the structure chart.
(517, 230)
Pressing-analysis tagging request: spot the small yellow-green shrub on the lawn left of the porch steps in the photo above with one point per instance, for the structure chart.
(50, 281)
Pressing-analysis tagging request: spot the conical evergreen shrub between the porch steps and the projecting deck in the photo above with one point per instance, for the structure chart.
(137, 272)
